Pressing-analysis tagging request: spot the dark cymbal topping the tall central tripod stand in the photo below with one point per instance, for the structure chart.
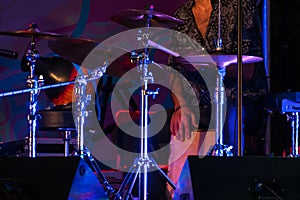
(134, 18)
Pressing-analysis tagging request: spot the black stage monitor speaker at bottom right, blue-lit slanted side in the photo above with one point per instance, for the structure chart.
(237, 178)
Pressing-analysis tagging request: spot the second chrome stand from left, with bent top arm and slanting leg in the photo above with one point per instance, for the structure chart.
(82, 101)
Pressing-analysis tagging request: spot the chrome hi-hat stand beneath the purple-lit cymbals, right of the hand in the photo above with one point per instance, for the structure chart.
(220, 149)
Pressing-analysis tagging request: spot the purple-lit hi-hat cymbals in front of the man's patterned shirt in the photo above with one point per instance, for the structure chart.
(220, 60)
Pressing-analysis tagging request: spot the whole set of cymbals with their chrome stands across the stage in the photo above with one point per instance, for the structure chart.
(75, 50)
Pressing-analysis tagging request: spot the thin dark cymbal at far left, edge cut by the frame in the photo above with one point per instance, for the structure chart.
(32, 32)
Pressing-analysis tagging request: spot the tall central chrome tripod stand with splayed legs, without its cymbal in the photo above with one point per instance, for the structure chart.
(143, 162)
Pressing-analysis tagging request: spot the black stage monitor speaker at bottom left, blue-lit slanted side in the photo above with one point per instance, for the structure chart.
(48, 178)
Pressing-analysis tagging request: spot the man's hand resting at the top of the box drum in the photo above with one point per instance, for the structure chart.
(180, 123)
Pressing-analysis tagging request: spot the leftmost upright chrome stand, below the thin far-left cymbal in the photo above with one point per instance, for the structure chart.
(33, 82)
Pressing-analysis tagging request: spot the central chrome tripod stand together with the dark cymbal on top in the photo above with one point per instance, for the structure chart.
(139, 168)
